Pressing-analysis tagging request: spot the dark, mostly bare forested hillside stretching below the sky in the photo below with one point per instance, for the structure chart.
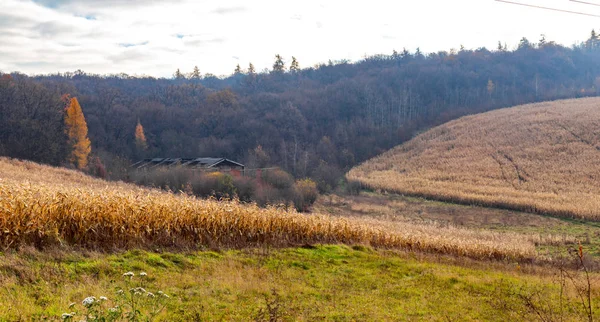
(317, 121)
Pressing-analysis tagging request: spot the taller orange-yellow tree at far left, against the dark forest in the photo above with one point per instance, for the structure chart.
(77, 131)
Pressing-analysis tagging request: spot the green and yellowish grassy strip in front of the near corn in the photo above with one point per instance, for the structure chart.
(335, 283)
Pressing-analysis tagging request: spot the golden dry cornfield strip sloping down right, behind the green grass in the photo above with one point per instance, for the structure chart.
(45, 206)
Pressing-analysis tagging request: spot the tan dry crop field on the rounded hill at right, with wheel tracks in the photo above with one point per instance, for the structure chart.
(542, 158)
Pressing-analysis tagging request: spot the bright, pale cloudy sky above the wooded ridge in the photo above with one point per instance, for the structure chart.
(156, 37)
